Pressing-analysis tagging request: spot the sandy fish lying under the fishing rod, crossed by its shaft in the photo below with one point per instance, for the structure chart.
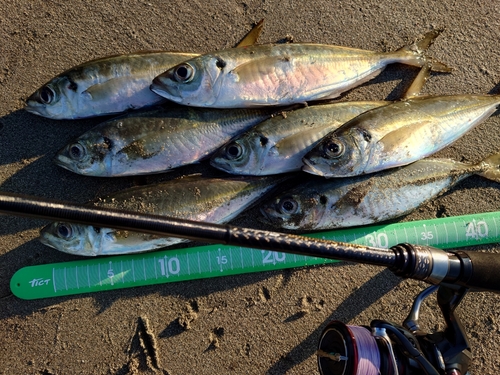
(212, 200)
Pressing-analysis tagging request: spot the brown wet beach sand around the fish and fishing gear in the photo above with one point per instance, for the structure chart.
(257, 323)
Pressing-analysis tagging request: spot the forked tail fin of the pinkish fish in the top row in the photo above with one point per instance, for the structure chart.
(414, 54)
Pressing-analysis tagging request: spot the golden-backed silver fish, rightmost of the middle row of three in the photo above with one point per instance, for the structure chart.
(398, 134)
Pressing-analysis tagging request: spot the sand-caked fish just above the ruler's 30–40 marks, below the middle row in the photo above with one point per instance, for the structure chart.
(323, 203)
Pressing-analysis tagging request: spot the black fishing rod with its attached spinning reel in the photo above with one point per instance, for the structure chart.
(383, 347)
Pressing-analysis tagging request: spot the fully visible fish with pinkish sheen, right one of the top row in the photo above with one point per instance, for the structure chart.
(281, 74)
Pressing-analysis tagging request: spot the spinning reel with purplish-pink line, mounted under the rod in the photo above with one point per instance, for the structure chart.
(391, 349)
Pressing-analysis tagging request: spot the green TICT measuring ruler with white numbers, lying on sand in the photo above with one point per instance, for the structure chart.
(126, 271)
